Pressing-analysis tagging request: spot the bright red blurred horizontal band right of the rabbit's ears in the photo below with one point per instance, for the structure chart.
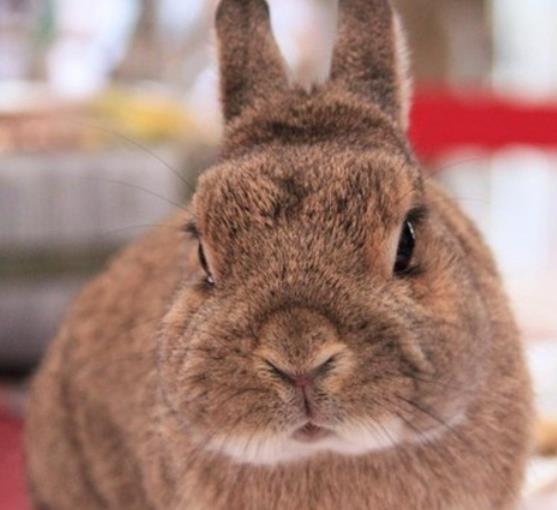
(443, 121)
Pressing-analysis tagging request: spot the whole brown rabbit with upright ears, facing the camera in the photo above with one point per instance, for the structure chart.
(331, 335)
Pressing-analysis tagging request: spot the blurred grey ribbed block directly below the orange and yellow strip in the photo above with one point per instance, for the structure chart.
(81, 199)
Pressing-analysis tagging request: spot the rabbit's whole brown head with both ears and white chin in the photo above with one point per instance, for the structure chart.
(335, 307)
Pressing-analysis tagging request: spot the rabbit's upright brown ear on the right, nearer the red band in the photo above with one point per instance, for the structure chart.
(370, 55)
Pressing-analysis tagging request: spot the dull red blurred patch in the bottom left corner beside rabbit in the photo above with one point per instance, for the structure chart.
(12, 478)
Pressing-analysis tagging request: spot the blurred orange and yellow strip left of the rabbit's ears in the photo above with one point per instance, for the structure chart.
(39, 121)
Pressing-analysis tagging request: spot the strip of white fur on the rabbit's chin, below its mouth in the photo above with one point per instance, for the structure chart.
(351, 439)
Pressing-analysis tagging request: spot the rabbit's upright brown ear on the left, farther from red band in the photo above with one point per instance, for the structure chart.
(251, 66)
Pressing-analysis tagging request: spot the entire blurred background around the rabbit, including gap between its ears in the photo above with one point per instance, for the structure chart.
(109, 111)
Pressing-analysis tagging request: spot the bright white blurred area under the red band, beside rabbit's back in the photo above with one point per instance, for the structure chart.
(511, 197)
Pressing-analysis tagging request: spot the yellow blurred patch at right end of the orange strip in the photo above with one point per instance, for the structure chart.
(144, 116)
